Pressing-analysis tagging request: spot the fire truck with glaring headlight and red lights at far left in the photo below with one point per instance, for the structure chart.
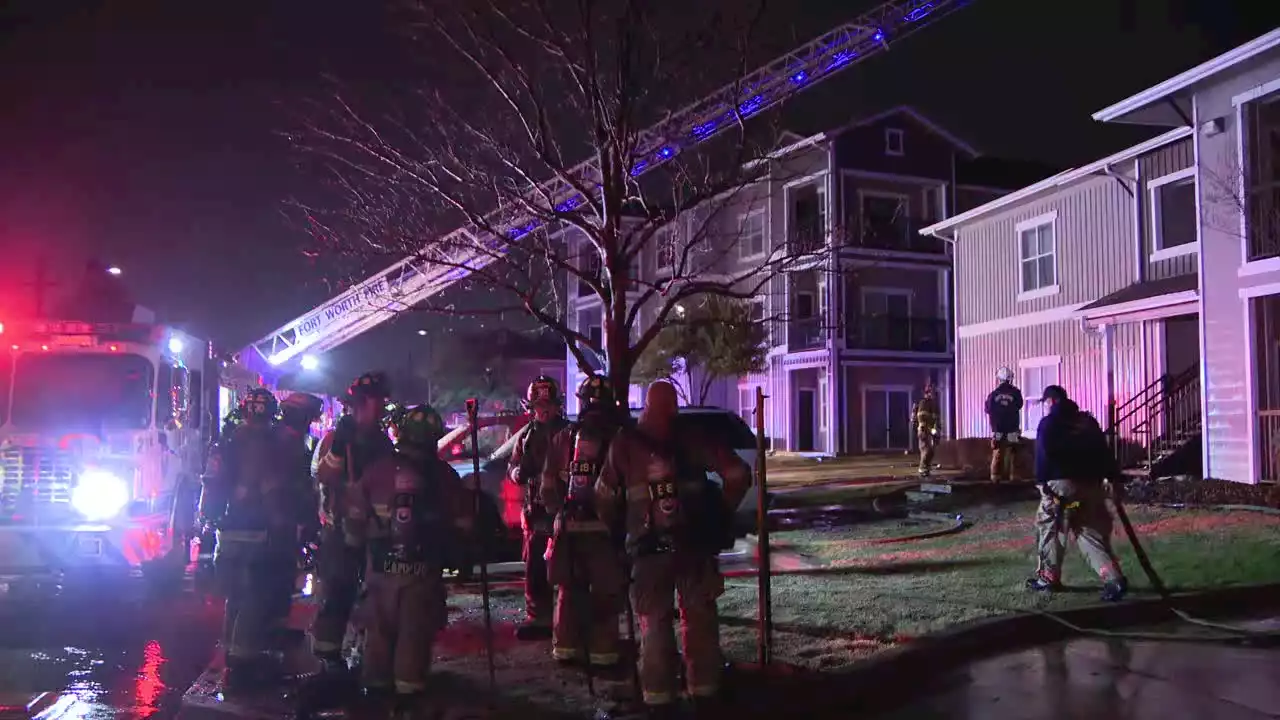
(103, 434)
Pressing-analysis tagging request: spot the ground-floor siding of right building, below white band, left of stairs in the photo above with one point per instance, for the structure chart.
(1082, 371)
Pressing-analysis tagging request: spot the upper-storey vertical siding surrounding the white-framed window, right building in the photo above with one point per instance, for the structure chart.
(1095, 248)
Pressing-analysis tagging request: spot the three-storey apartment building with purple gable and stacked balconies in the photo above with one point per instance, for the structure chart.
(862, 325)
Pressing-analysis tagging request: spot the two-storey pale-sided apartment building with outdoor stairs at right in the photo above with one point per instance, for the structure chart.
(1148, 282)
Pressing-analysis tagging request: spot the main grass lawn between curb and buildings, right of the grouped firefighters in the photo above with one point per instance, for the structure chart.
(884, 594)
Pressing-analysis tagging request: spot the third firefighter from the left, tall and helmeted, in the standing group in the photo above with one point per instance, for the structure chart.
(359, 438)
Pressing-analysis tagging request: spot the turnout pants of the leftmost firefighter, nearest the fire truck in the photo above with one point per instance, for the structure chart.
(255, 576)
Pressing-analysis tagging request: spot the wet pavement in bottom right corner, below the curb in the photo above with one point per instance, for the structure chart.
(1105, 680)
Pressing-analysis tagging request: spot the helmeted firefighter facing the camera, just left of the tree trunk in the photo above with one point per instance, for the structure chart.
(543, 402)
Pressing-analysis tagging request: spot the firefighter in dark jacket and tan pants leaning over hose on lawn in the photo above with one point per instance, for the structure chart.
(1073, 461)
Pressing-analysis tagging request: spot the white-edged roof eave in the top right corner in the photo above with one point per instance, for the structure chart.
(1141, 108)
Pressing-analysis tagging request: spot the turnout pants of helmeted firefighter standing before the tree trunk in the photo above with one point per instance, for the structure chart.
(587, 572)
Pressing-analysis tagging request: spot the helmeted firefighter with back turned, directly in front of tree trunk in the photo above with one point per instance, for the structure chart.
(583, 560)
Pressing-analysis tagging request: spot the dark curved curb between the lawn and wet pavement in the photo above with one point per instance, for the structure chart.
(927, 659)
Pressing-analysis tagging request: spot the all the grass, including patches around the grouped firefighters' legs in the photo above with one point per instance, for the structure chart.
(874, 595)
